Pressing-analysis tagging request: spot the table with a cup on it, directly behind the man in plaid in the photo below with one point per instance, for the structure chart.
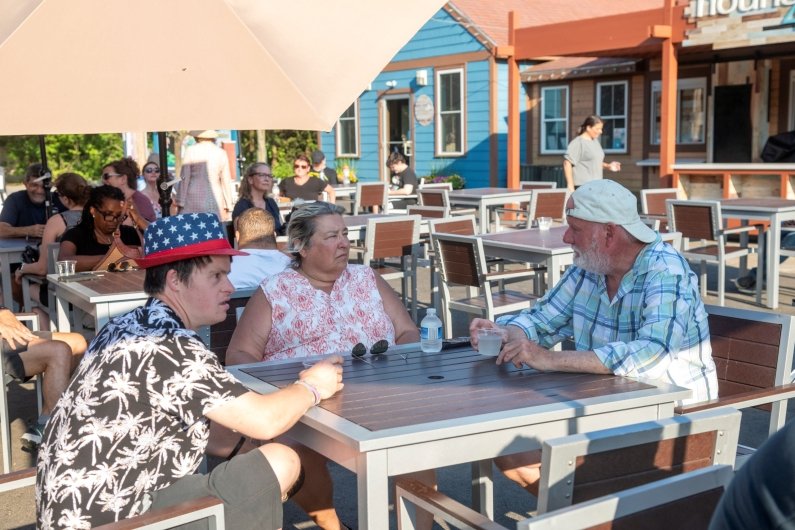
(532, 246)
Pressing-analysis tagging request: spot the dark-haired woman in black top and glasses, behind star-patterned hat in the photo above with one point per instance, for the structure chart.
(91, 239)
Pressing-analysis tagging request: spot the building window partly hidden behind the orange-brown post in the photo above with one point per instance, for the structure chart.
(691, 104)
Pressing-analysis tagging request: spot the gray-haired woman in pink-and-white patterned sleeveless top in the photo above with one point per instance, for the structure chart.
(320, 305)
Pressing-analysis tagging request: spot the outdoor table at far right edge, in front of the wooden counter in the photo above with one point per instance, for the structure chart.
(775, 211)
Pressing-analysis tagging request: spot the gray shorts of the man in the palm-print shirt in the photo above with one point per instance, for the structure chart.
(246, 484)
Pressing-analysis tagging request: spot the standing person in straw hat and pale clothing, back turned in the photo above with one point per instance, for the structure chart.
(206, 182)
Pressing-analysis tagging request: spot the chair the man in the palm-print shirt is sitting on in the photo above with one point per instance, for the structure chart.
(204, 508)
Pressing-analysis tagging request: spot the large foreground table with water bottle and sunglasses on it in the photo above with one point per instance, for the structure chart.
(430, 410)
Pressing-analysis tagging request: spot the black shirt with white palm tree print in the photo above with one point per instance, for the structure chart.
(131, 421)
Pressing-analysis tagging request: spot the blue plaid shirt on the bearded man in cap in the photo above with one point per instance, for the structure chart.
(654, 328)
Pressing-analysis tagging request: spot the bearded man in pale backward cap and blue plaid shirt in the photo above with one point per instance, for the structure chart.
(630, 304)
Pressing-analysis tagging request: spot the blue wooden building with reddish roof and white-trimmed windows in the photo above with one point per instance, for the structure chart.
(442, 100)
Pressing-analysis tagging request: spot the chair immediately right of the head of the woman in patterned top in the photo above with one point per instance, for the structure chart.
(397, 238)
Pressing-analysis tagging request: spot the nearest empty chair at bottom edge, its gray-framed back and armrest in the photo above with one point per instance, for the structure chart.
(681, 502)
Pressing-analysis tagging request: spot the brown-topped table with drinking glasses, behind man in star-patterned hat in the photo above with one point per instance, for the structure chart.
(103, 295)
